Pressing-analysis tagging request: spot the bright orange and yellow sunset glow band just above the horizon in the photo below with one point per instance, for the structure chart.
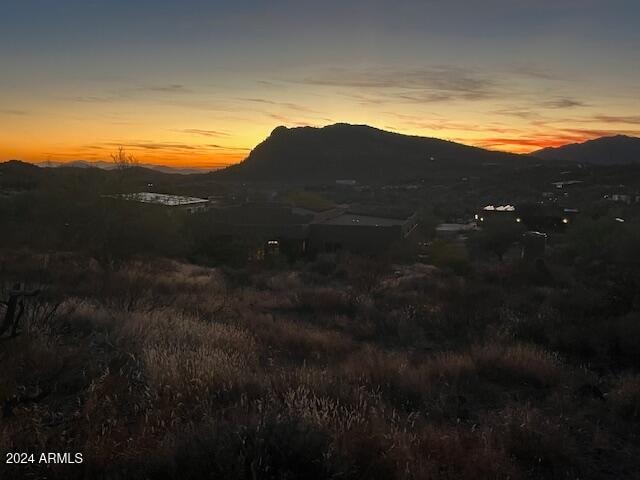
(181, 139)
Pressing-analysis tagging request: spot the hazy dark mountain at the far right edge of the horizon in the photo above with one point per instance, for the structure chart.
(615, 150)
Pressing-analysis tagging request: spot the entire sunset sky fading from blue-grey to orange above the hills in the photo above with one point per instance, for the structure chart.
(199, 83)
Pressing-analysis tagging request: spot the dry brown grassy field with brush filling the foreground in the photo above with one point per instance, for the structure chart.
(340, 368)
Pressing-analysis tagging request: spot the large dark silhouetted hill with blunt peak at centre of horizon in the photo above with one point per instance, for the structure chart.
(358, 152)
